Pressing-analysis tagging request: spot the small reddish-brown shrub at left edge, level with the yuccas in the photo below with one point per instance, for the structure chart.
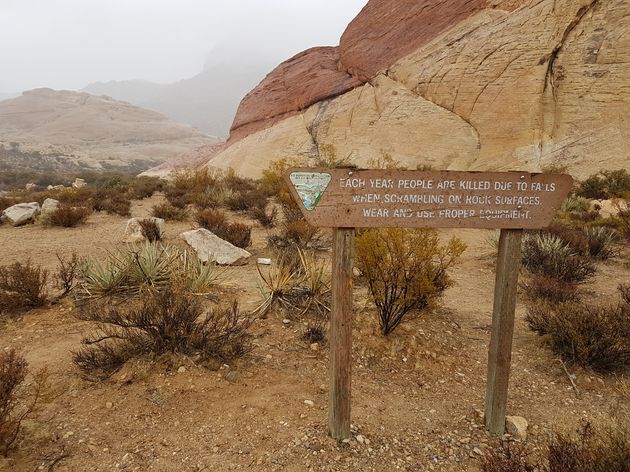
(22, 286)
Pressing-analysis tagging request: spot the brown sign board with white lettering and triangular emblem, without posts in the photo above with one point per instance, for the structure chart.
(350, 198)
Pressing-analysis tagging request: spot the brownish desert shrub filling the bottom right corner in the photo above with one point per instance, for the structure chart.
(601, 448)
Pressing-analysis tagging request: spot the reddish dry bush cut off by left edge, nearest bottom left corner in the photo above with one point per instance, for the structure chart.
(17, 399)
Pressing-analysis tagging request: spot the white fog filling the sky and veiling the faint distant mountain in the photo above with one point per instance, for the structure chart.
(192, 60)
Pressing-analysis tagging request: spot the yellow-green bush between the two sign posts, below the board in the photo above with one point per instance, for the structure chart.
(405, 270)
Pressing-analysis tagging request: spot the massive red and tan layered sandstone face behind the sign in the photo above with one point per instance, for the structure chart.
(480, 85)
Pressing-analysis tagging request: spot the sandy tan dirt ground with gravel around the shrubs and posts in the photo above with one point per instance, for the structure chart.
(418, 395)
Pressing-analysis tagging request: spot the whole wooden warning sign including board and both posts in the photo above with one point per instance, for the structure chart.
(344, 199)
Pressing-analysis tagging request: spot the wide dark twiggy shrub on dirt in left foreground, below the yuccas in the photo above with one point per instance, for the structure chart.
(166, 321)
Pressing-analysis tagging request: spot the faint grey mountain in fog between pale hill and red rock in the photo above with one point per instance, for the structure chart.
(207, 101)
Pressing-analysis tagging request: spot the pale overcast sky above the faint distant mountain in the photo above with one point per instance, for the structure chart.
(66, 44)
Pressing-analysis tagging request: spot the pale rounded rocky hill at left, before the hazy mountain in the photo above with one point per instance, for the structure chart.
(61, 130)
